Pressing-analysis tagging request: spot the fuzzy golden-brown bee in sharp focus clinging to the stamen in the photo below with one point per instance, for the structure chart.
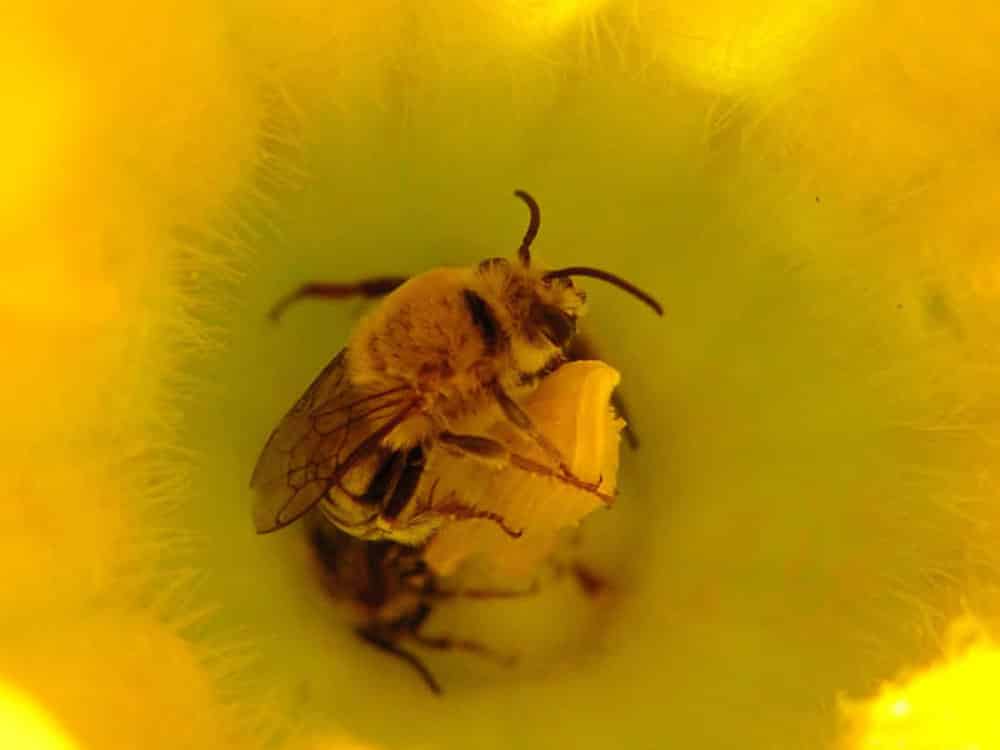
(445, 351)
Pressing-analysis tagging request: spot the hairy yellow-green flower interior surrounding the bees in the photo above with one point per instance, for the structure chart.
(810, 188)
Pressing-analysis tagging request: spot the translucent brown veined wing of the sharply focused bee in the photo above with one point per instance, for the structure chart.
(332, 427)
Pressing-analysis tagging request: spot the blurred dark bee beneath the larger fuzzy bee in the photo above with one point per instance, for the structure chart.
(392, 593)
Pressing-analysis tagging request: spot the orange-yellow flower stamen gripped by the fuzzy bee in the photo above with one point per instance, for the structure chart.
(572, 408)
